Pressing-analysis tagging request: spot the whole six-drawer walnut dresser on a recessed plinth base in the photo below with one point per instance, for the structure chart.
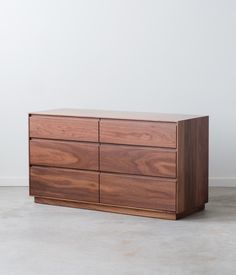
(145, 164)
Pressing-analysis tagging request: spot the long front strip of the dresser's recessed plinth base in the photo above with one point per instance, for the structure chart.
(110, 208)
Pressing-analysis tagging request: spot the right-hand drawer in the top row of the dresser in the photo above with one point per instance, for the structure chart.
(160, 134)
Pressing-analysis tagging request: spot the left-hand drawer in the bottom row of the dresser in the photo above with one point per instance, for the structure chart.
(64, 184)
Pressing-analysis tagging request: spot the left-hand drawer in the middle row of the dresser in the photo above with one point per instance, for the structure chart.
(67, 154)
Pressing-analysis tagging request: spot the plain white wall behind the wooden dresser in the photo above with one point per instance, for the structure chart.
(149, 55)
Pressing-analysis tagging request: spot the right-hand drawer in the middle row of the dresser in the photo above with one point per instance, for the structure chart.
(138, 160)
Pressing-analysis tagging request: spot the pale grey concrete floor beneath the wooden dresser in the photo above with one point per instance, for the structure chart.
(40, 239)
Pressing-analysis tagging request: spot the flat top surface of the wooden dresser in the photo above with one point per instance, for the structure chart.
(86, 113)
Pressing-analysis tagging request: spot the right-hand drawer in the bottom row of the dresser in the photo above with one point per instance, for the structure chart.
(136, 191)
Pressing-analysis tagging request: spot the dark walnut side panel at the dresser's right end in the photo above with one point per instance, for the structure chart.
(192, 187)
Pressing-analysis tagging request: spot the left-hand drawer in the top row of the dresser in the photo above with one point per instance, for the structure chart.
(68, 128)
